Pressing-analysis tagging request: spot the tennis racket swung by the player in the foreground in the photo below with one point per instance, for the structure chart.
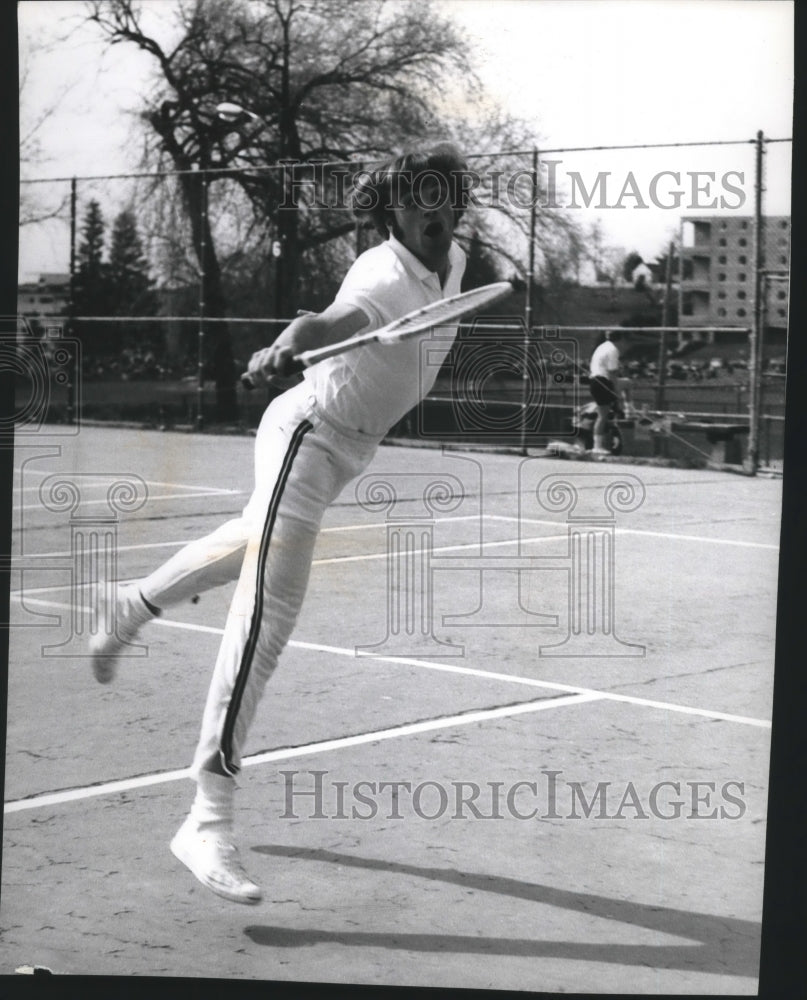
(434, 314)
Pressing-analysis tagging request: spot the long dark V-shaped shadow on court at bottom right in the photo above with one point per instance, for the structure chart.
(724, 945)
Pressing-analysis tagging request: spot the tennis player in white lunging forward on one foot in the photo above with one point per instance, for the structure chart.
(312, 440)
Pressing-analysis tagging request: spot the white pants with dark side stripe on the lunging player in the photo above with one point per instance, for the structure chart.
(302, 463)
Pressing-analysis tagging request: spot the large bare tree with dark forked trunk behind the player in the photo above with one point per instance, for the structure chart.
(334, 80)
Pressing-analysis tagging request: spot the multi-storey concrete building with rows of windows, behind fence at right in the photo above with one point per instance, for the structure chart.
(716, 285)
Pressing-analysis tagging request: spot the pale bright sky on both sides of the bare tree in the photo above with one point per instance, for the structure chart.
(580, 72)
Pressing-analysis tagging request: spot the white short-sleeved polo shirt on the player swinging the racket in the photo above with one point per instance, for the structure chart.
(372, 387)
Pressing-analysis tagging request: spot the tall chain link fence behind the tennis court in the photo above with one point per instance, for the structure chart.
(231, 255)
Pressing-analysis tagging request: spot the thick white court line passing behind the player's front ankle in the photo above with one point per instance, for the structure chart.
(286, 753)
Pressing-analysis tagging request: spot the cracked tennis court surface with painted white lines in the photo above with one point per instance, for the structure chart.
(520, 739)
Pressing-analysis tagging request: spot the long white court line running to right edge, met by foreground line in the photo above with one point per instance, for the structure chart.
(451, 668)
